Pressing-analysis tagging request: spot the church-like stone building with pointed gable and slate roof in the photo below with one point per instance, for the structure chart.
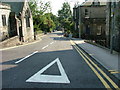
(21, 21)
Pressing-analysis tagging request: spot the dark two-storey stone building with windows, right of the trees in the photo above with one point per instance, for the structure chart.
(90, 18)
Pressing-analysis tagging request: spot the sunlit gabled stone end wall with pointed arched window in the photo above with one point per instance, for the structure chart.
(28, 33)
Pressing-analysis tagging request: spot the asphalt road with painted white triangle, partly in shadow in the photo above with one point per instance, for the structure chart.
(50, 63)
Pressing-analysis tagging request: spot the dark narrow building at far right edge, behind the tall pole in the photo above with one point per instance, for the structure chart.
(113, 25)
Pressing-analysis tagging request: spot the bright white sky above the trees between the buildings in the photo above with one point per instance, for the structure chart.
(57, 4)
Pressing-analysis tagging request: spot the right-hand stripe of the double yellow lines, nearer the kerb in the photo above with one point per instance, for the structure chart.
(108, 78)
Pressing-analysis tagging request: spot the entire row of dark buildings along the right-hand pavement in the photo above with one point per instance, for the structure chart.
(100, 22)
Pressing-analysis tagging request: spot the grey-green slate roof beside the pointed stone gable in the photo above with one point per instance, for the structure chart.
(16, 6)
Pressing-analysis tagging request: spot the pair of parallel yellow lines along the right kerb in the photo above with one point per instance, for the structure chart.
(91, 64)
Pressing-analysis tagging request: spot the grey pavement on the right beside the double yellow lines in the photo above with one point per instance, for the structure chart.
(103, 56)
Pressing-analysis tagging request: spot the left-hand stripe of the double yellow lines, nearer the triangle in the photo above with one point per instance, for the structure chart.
(98, 75)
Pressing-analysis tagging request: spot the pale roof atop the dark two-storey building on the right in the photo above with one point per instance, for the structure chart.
(90, 2)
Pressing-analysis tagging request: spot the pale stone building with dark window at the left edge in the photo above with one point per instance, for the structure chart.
(4, 21)
